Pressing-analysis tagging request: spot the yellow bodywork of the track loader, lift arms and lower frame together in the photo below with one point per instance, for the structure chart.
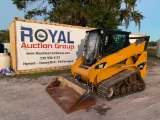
(95, 76)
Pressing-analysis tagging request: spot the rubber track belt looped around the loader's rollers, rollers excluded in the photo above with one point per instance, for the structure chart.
(104, 85)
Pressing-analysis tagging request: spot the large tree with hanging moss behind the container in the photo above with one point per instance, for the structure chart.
(91, 13)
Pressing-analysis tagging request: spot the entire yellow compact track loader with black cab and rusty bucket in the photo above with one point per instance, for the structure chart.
(110, 65)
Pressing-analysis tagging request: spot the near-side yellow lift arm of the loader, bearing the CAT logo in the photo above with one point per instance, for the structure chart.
(117, 57)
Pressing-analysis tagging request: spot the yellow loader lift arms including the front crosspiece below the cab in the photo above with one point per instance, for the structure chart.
(90, 73)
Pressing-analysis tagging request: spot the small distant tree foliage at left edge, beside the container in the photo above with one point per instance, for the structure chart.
(4, 36)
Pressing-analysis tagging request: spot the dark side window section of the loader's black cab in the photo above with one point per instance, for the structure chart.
(113, 41)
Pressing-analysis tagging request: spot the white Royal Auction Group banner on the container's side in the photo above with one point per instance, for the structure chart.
(45, 46)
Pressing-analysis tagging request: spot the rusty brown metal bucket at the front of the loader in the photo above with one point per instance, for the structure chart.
(70, 94)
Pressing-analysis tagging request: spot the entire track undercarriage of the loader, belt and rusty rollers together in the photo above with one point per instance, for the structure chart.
(122, 84)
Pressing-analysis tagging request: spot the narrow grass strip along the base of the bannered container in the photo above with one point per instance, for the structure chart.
(37, 75)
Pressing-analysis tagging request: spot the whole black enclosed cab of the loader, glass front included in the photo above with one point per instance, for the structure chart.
(103, 42)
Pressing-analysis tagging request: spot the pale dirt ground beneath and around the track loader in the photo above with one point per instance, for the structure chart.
(26, 99)
